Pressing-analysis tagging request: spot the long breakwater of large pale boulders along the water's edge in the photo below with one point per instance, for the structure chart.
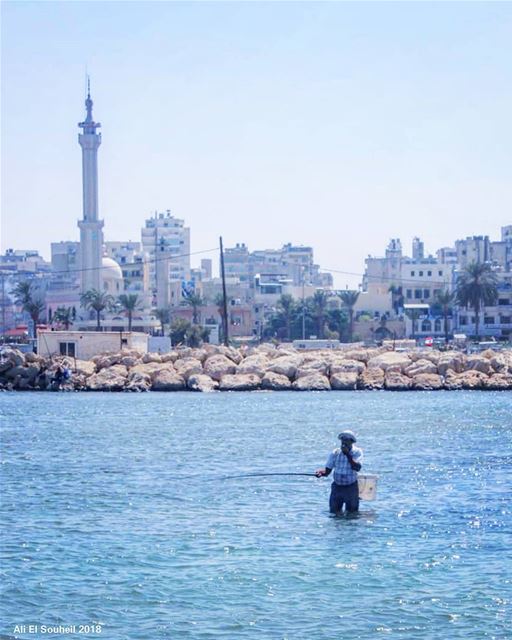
(266, 367)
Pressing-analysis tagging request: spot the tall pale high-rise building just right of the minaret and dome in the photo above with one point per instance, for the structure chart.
(166, 243)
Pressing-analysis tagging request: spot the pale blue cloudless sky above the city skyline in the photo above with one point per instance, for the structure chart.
(337, 125)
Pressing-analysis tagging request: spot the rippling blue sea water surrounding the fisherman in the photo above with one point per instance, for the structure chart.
(118, 520)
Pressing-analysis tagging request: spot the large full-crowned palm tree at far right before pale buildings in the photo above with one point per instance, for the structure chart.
(477, 287)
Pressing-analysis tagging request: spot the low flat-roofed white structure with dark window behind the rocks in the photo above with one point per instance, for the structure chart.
(86, 344)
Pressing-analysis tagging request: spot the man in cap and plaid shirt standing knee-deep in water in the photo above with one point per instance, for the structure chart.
(346, 462)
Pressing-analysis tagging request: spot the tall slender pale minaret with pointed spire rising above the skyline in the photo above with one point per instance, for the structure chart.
(91, 234)
